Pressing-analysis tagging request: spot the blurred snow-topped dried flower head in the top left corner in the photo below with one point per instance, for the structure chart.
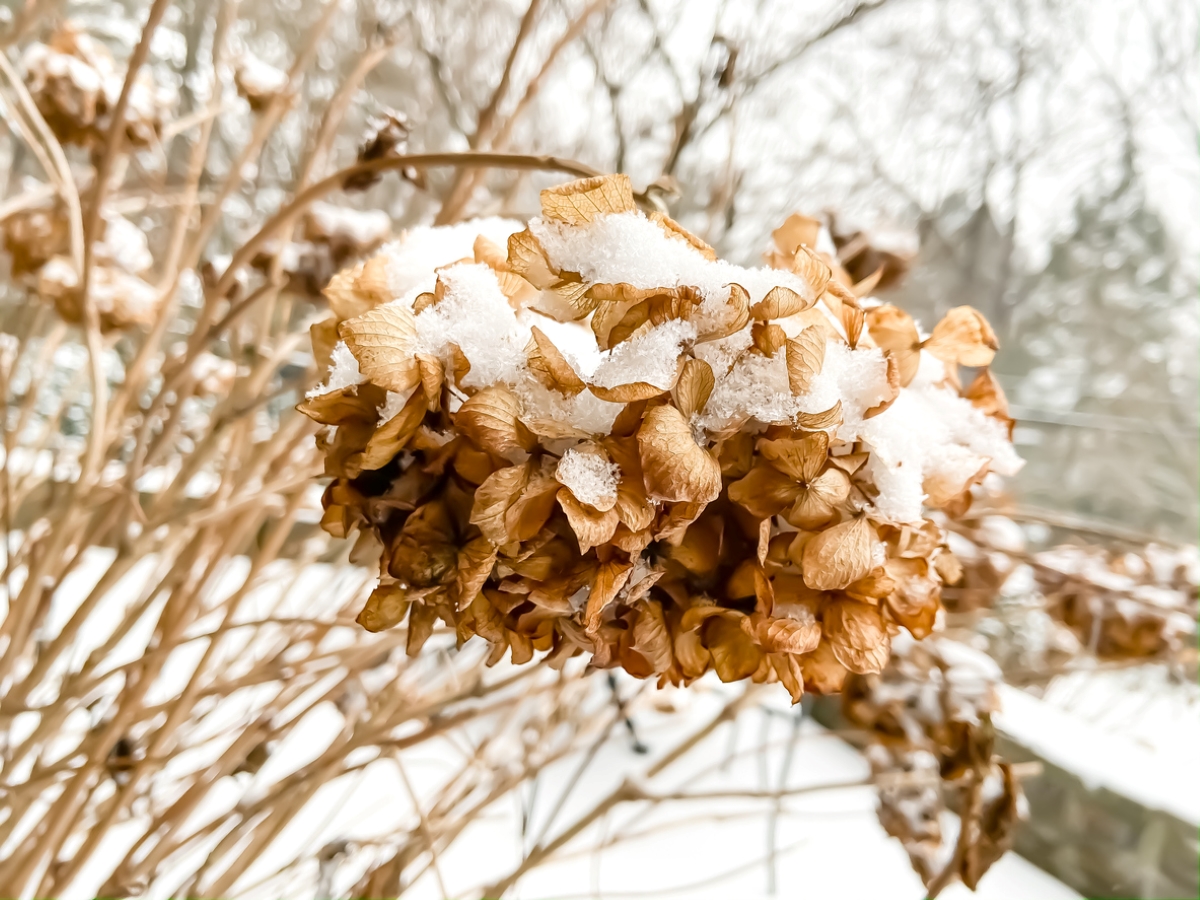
(76, 85)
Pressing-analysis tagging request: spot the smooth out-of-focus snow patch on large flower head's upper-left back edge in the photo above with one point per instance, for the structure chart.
(413, 259)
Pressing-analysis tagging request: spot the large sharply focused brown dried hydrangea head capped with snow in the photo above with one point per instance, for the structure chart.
(590, 435)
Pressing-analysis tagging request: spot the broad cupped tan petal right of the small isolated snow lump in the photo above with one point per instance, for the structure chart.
(674, 466)
